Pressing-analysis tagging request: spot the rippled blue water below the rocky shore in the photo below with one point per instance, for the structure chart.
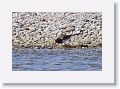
(57, 60)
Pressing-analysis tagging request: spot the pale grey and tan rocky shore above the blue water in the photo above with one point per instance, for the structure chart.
(41, 29)
